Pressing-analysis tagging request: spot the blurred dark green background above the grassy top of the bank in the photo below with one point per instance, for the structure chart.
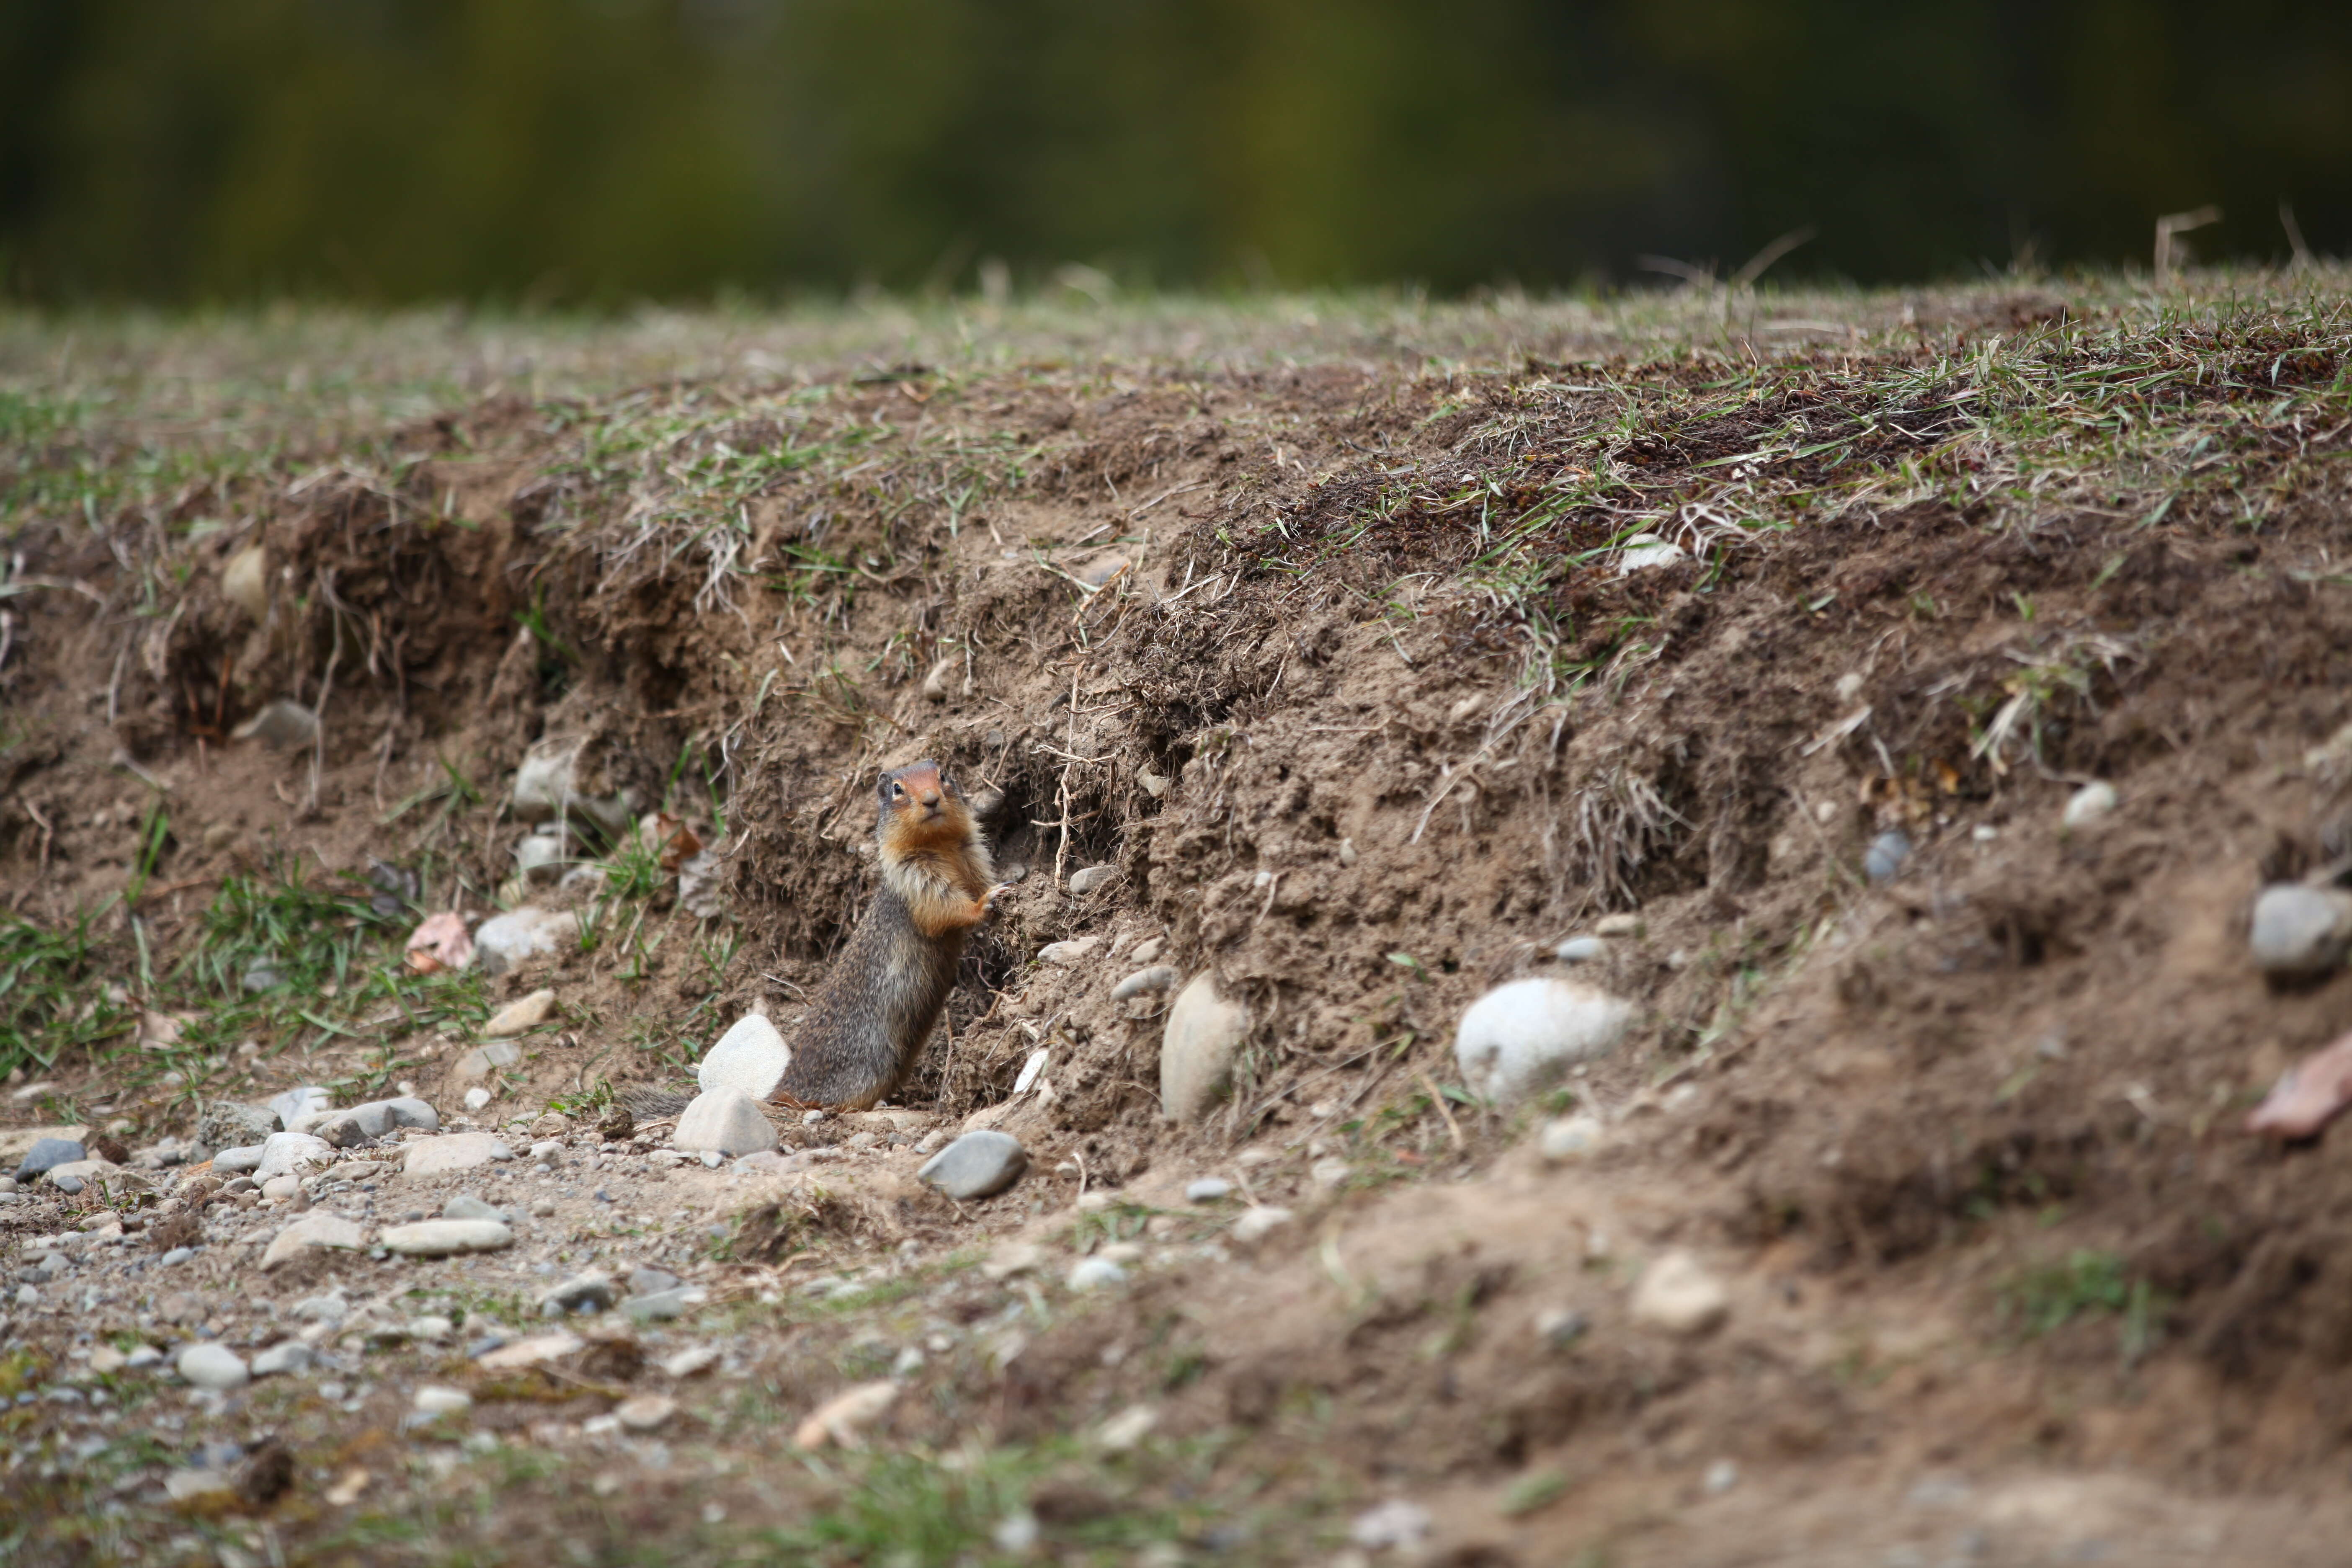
(601, 152)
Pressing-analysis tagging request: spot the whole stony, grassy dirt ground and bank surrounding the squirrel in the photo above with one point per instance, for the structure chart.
(1690, 930)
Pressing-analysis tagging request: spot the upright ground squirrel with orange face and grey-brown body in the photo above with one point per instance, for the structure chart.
(883, 998)
